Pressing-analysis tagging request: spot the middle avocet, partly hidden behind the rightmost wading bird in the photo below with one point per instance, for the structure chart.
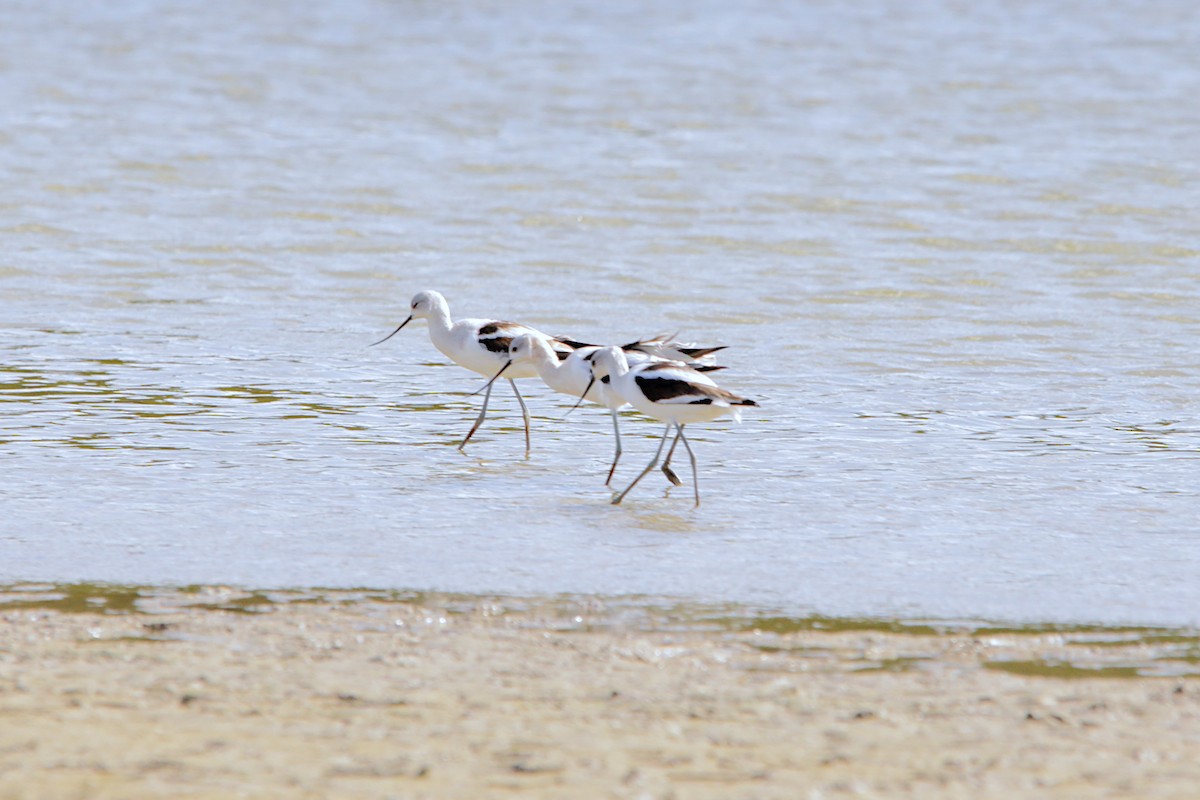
(573, 375)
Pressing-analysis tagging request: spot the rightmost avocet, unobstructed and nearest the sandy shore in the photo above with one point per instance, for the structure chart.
(671, 393)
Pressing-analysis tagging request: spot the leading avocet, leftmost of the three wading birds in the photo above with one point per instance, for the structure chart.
(478, 345)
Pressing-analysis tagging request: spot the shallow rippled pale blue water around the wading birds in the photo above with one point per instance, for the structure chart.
(953, 251)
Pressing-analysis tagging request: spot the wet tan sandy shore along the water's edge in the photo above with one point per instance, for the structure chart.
(359, 696)
